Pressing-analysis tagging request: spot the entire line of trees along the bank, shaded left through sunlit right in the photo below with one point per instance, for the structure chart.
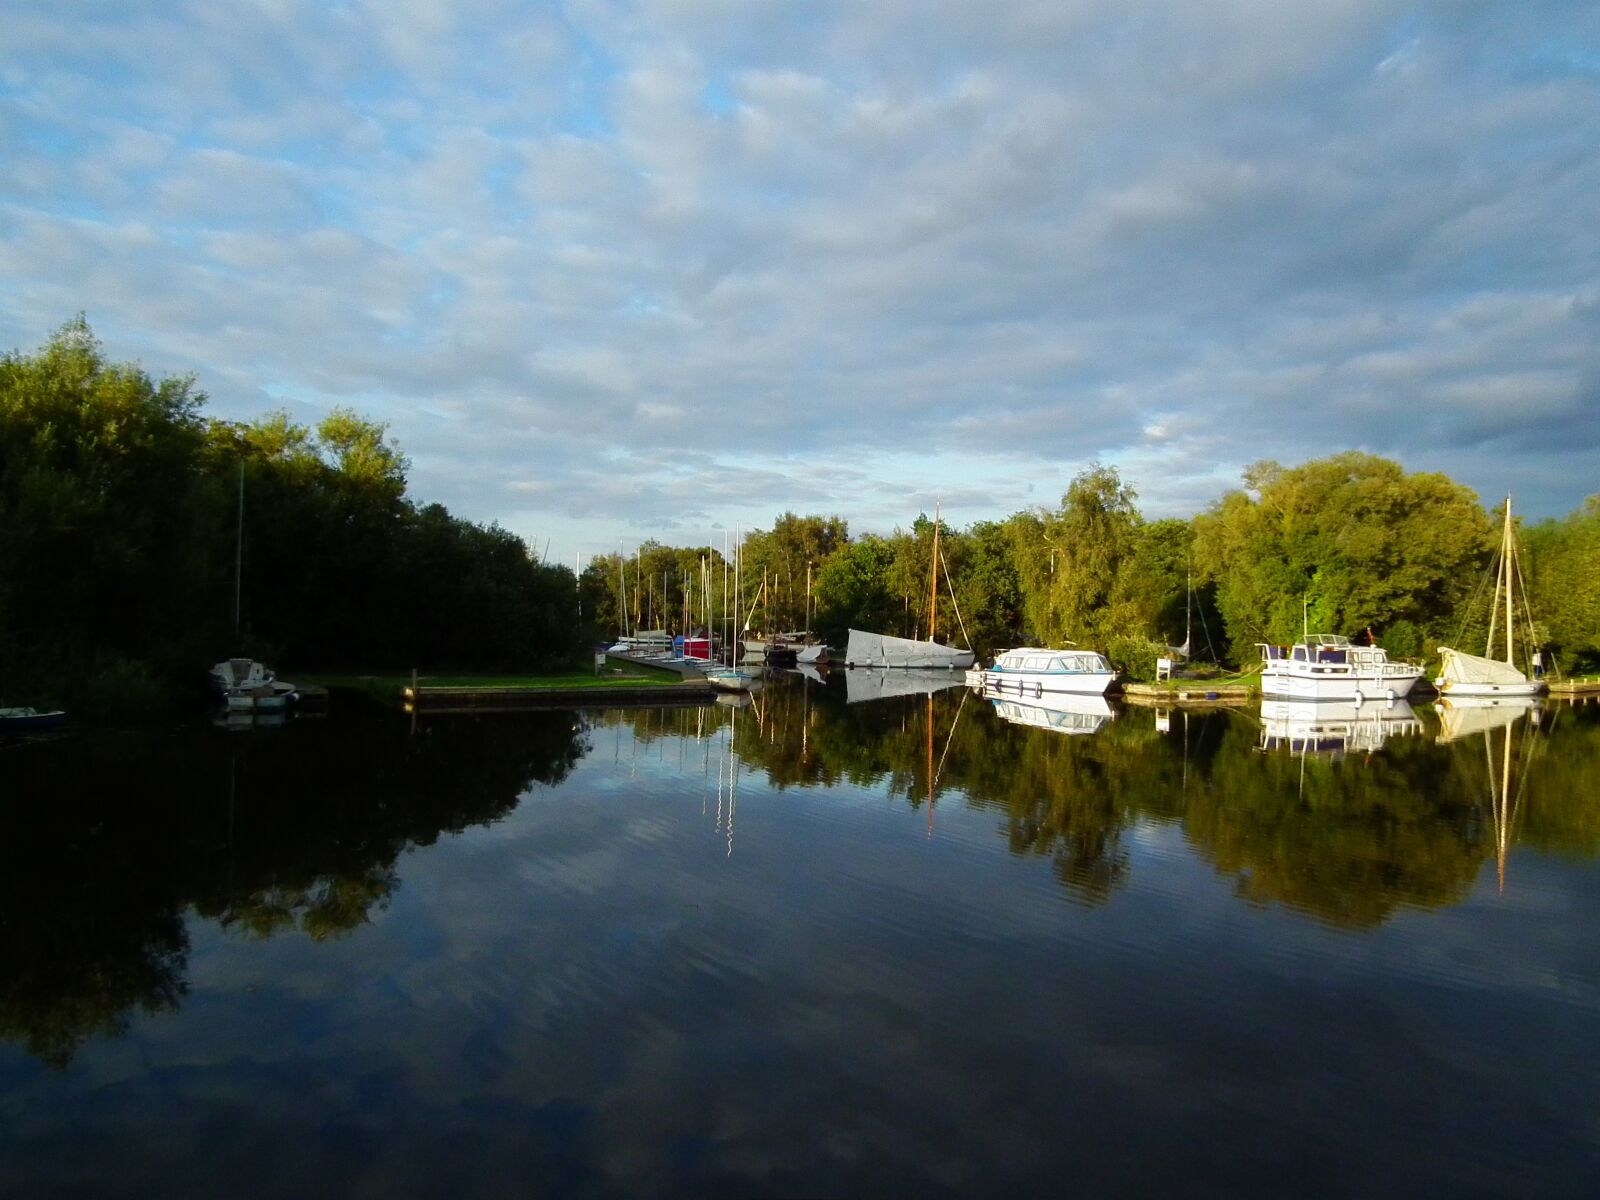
(143, 540)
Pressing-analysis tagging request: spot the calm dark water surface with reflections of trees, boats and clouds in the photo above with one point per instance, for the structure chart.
(714, 951)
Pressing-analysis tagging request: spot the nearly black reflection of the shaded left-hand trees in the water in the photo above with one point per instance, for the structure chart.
(110, 841)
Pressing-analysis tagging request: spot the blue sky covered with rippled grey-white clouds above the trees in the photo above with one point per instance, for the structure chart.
(626, 270)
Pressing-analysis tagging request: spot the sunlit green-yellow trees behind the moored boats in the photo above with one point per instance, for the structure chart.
(1348, 545)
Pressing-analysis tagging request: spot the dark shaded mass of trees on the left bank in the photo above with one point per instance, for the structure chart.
(142, 542)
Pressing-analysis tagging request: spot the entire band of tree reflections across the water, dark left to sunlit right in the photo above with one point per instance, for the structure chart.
(111, 842)
